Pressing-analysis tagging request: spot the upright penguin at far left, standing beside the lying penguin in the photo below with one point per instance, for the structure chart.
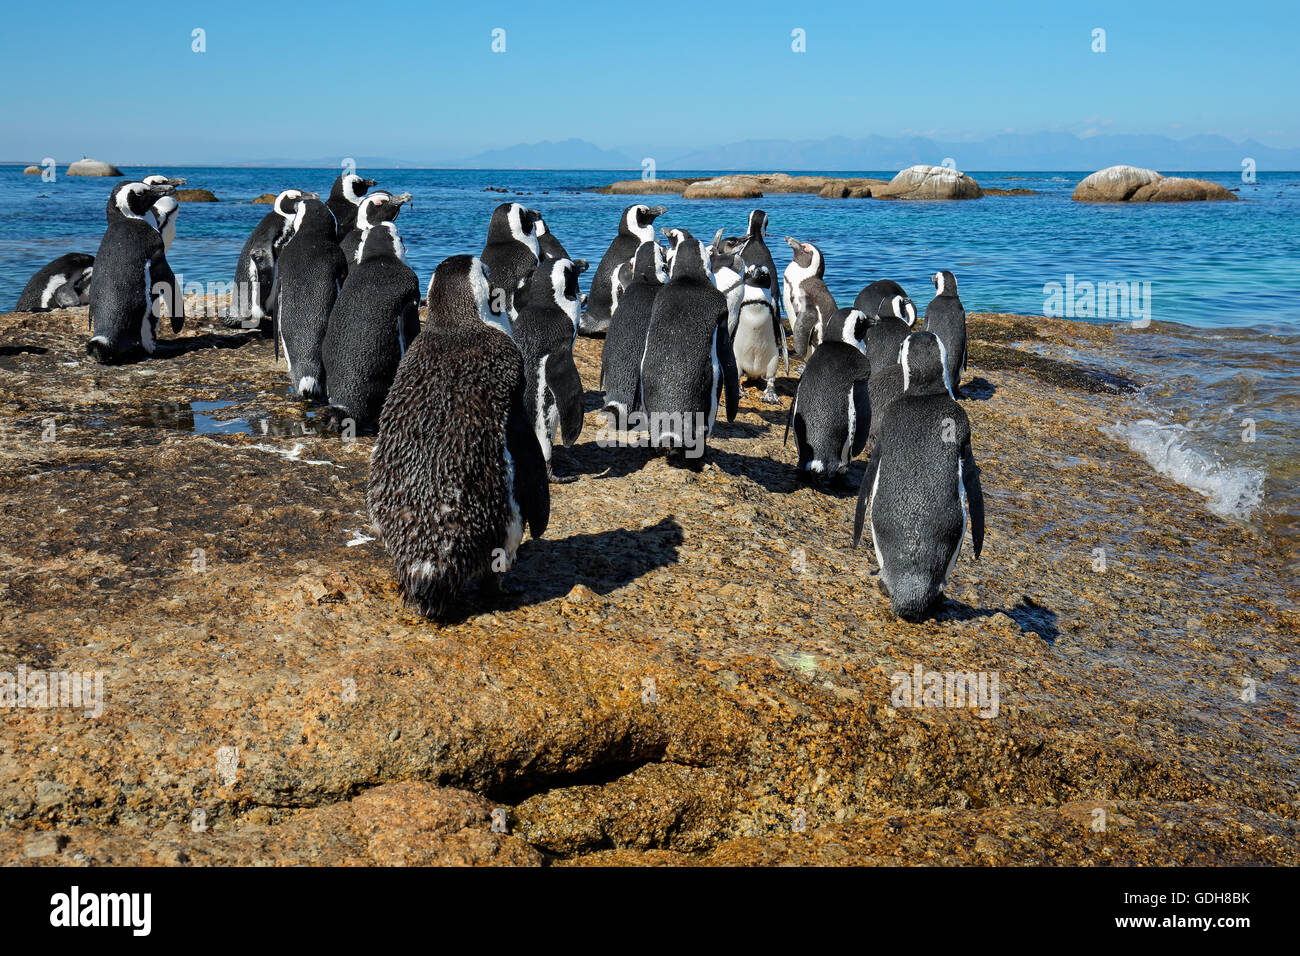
(132, 275)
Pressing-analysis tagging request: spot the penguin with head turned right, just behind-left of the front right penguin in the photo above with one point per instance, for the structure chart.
(833, 410)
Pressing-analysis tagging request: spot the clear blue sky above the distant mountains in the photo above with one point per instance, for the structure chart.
(421, 81)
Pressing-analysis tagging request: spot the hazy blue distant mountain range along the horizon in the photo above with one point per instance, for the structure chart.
(1008, 152)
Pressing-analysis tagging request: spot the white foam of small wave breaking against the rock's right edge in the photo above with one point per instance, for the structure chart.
(1232, 491)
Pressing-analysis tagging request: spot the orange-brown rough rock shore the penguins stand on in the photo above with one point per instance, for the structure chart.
(699, 668)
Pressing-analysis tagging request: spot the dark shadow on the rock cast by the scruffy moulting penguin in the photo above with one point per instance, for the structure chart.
(604, 561)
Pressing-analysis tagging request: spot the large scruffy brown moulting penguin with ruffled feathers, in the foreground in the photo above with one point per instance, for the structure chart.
(457, 471)
